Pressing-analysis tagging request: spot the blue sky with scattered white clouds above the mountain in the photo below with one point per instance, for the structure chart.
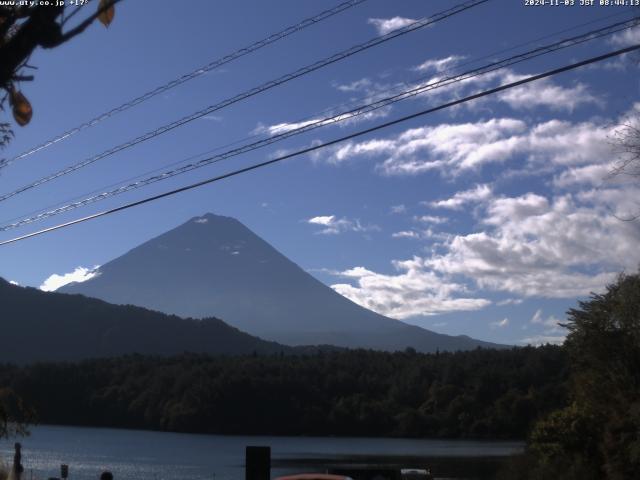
(489, 219)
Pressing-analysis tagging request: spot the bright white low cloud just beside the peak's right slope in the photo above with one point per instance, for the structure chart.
(412, 292)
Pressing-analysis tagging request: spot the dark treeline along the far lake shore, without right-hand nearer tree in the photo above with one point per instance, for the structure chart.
(474, 394)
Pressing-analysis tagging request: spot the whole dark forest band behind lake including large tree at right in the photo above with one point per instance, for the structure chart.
(576, 405)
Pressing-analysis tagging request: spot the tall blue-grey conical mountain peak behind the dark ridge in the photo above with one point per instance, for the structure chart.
(215, 266)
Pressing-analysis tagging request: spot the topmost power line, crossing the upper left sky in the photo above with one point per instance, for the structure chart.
(189, 76)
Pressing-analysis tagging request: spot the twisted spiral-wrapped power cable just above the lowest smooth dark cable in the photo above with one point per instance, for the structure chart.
(418, 89)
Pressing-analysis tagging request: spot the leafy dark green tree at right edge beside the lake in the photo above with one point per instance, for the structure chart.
(599, 432)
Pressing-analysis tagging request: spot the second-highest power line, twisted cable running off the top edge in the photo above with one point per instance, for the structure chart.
(254, 91)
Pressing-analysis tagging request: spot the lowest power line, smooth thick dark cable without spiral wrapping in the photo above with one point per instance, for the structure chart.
(327, 144)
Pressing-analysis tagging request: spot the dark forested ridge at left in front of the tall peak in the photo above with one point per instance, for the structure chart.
(38, 326)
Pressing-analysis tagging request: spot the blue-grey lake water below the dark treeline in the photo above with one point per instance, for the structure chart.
(137, 454)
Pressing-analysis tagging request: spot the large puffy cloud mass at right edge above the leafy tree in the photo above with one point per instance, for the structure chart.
(533, 246)
